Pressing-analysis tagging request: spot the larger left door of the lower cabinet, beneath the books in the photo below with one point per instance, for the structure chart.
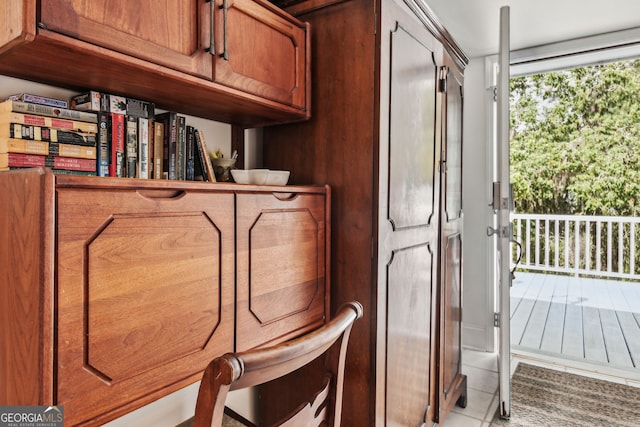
(144, 294)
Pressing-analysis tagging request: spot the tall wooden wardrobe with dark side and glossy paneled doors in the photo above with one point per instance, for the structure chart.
(386, 135)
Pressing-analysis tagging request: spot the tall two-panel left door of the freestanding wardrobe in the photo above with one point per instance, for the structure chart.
(409, 212)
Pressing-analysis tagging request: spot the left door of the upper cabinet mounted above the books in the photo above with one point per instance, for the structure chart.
(173, 33)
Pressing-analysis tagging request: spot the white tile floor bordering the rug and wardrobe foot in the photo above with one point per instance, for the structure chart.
(481, 369)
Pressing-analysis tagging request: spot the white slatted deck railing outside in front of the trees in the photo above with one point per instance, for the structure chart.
(602, 246)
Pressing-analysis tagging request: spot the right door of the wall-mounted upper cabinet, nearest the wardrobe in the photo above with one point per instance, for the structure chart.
(261, 50)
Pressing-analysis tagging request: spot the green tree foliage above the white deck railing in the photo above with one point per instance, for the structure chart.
(575, 140)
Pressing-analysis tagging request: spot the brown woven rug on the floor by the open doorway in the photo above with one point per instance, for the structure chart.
(543, 397)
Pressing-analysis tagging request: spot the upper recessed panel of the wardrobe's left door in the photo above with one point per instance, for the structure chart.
(412, 132)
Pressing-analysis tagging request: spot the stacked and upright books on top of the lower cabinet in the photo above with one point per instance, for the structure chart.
(123, 138)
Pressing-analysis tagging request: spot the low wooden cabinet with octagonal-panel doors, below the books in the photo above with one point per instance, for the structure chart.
(116, 292)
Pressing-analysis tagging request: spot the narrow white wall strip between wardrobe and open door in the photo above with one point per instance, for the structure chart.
(478, 331)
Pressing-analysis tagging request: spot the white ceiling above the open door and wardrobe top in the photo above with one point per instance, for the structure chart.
(475, 24)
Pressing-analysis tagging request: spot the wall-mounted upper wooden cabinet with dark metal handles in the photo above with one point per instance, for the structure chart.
(238, 61)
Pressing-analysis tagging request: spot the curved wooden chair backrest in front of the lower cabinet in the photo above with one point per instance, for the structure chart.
(250, 368)
